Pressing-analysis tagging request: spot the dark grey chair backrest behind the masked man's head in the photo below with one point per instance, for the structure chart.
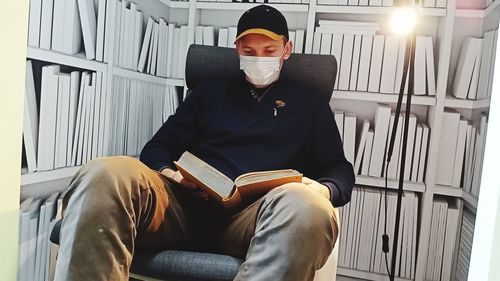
(208, 62)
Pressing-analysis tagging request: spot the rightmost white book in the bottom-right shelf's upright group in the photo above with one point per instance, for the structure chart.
(449, 242)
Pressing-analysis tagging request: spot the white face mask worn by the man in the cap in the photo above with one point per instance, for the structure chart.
(260, 71)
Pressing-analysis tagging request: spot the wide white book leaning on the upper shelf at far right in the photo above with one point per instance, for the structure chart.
(465, 67)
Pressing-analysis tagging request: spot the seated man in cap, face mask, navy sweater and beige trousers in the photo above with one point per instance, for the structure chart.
(116, 205)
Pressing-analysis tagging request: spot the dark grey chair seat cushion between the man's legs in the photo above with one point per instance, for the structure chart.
(185, 266)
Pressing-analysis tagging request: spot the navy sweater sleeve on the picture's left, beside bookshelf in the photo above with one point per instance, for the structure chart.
(175, 136)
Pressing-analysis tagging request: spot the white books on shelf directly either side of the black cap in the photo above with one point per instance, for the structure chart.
(205, 35)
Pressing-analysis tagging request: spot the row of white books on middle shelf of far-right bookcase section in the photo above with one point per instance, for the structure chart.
(461, 152)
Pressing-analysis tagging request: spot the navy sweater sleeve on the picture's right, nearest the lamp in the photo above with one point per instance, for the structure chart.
(326, 162)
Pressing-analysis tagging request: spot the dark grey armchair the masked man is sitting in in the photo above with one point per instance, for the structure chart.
(204, 62)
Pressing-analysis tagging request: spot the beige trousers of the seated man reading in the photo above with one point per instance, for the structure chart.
(115, 205)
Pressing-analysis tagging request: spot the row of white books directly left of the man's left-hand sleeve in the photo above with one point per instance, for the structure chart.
(138, 110)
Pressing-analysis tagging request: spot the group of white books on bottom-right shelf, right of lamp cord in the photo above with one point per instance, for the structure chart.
(444, 222)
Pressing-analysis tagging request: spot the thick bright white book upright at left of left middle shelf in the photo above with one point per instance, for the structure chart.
(48, 117)
